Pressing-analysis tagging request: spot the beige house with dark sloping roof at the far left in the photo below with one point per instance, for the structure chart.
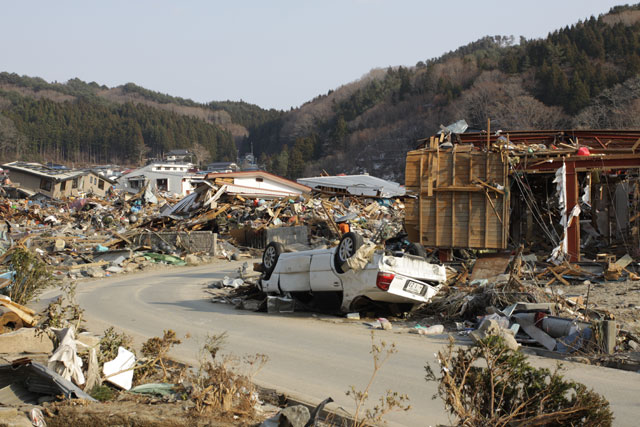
(32, 178)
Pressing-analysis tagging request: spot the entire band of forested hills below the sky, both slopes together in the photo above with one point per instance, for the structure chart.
(582, 76)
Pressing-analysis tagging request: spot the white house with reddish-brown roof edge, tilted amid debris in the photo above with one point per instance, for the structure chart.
(259, 184)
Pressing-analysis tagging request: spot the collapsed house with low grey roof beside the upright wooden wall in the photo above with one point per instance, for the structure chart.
(355, 185)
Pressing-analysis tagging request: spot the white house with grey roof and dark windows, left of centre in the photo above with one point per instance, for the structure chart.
(164, 177)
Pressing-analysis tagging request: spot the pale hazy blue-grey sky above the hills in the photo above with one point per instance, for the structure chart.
(276, 54)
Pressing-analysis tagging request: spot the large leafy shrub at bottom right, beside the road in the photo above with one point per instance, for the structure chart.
(489, 384)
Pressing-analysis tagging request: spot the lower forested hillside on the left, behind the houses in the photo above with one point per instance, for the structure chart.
(87, 123)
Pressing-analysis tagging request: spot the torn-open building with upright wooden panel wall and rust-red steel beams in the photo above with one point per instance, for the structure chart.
(569, 193)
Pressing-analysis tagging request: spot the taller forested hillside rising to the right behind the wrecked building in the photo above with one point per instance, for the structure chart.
(583, 76)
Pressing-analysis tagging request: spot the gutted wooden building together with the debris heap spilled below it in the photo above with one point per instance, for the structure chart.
(559, 207)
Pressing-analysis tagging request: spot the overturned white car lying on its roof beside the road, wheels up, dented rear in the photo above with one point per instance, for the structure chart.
(356, 273)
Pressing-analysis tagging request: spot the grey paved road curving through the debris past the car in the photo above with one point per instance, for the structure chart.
(311, 357)
